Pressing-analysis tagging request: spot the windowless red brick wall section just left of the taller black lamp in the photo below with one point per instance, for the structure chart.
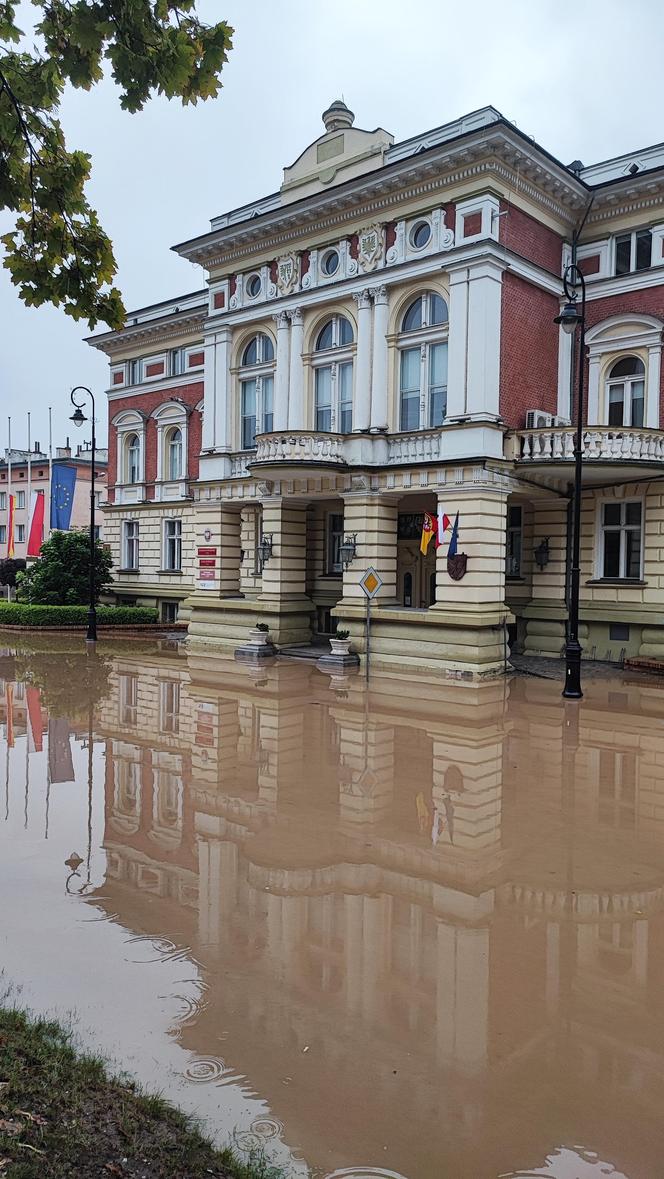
(529, 351)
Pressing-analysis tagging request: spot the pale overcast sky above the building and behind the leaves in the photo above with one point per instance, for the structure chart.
(584, 82)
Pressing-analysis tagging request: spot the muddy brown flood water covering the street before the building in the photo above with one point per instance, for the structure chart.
(416, 931)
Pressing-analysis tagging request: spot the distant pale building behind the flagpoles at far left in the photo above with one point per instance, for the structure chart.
(40, 480)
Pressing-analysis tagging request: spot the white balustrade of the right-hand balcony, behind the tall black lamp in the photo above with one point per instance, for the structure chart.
(557, 445)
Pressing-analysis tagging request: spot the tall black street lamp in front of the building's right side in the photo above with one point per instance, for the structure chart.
(571, 319)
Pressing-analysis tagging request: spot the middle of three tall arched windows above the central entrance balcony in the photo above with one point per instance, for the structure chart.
(333, 377)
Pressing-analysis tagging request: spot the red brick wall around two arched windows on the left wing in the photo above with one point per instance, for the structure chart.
(147, 404)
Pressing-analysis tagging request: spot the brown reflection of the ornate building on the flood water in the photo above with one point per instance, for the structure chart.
(456, 900)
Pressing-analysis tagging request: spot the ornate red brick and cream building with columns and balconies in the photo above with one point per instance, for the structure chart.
(376, 341)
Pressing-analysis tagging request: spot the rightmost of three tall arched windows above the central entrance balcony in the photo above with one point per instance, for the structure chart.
(423, 373)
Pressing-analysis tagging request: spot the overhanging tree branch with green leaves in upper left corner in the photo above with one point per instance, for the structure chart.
(58, 252)
